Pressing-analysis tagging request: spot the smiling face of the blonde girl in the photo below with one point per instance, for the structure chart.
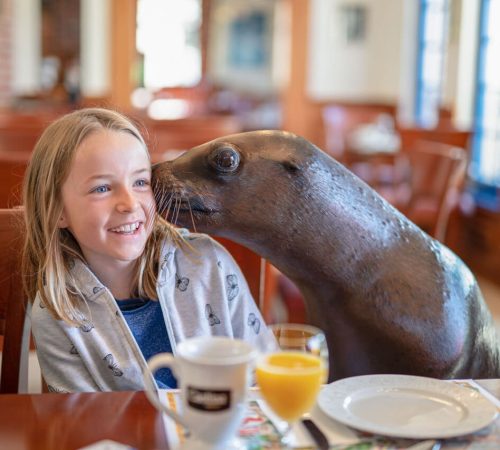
(107, 200)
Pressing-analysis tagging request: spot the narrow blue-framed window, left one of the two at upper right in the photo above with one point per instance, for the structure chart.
(432, 37)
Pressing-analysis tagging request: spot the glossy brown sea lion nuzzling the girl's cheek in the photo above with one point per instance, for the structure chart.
(390, 298)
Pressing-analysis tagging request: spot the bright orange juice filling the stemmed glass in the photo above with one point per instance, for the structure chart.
(290, 382)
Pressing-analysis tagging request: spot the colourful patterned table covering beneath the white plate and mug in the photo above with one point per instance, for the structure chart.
(260, 429)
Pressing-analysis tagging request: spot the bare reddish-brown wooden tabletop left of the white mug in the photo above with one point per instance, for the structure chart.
(72, 421)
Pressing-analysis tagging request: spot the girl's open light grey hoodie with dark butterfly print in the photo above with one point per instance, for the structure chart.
(201, 292)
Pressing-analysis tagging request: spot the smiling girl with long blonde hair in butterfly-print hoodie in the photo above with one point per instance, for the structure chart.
(113, 284)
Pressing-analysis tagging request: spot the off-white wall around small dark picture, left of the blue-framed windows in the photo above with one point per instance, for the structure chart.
(367, 71)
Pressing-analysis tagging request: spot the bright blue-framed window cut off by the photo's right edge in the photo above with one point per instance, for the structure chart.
(485, 164)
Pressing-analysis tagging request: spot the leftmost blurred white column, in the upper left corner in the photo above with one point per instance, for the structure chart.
(27, 46)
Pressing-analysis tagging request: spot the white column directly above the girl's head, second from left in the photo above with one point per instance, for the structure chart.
(95, 47)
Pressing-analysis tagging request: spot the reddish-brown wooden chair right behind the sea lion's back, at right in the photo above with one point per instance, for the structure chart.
(437, 177)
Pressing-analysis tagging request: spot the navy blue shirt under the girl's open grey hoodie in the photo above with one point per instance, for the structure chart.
(145, 320)
